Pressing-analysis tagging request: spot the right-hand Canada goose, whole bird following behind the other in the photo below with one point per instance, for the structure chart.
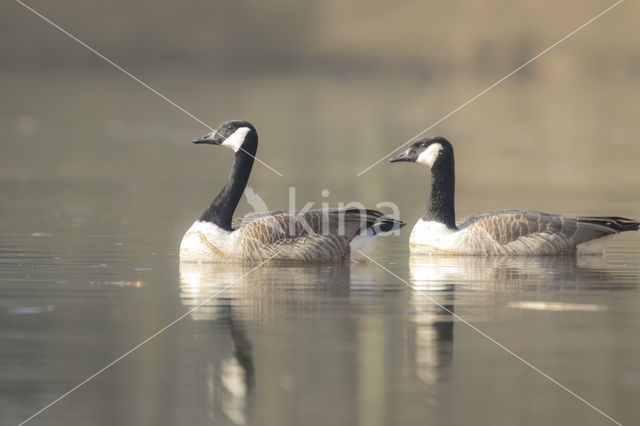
(511, 232)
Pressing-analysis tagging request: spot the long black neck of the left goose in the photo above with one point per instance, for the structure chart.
(222, 207)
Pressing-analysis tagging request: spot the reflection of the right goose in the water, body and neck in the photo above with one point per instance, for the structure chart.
(491, 283)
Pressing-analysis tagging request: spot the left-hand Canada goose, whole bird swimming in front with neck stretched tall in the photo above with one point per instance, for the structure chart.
(321, 235)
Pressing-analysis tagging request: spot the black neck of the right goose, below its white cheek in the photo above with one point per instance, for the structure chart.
(440, 206)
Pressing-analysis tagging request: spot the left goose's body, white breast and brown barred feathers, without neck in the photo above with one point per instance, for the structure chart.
(314, 235)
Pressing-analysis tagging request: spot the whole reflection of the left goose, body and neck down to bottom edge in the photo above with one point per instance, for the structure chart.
(232, 298)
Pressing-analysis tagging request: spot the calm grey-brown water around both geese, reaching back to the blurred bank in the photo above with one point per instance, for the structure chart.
(94, 198)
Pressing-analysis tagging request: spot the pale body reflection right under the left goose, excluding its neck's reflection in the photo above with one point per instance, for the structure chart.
(266, 292)
